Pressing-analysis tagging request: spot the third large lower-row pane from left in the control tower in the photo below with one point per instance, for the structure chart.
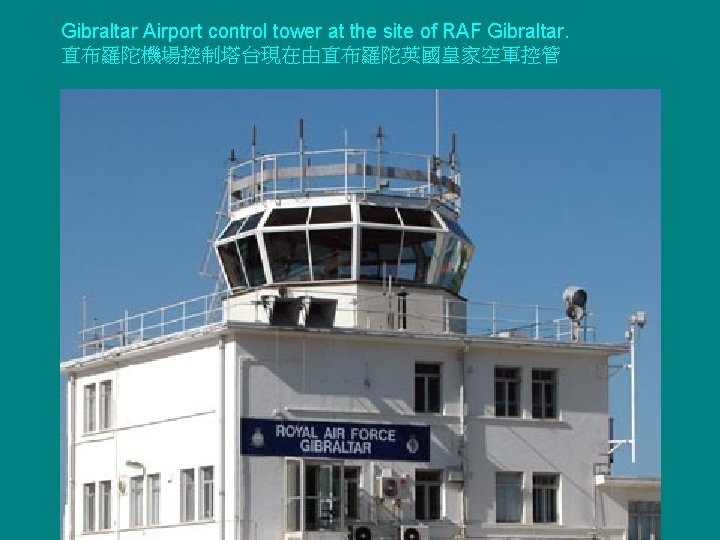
(288, 256)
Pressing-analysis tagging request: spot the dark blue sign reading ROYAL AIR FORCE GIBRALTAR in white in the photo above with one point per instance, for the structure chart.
(342, 440)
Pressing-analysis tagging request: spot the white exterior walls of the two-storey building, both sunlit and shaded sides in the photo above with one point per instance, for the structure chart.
(167, 414)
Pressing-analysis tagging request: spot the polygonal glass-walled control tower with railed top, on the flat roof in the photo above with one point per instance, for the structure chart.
(345, 238)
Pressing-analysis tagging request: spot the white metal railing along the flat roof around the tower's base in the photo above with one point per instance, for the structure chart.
(478, 319)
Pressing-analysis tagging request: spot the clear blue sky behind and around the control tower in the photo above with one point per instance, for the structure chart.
(559, 188)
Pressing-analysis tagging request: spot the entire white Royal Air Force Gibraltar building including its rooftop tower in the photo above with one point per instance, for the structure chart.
(344, 389)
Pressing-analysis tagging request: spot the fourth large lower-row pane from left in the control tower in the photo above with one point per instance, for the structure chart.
(331, 252)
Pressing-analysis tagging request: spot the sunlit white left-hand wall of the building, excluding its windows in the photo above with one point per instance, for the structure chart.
(164, 417)
